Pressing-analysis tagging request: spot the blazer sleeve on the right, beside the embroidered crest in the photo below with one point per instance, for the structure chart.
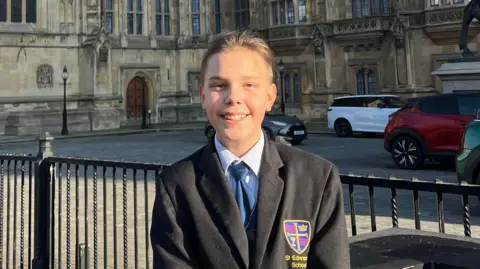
(329, 248)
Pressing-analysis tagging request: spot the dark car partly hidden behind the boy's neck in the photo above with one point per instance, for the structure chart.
(291, 128)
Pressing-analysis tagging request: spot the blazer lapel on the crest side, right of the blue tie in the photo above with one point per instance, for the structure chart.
(269, 198)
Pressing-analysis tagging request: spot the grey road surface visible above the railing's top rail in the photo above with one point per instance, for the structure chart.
(358, 155)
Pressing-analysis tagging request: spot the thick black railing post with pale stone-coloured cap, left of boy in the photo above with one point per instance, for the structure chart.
(43, 203)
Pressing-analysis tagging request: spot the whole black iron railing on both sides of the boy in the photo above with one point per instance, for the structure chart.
(58, 212)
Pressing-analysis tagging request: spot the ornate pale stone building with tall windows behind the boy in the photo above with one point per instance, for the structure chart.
(122, 54)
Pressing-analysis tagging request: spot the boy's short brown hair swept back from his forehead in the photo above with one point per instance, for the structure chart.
(238, 39)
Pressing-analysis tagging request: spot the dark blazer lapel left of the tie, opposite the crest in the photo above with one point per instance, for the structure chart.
(215, 187)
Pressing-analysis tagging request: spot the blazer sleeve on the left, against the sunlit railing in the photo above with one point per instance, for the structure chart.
(170, 241)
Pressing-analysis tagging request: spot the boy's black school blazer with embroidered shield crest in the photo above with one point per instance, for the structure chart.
(196, 222)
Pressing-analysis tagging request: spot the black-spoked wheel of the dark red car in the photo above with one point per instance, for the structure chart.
(407, 153)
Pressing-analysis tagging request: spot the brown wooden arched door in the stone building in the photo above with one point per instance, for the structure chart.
(137, 103)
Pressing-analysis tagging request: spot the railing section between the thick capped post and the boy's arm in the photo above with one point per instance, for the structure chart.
(125, 189)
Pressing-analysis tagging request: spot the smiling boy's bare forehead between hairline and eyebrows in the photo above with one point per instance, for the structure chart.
(237, 62)
